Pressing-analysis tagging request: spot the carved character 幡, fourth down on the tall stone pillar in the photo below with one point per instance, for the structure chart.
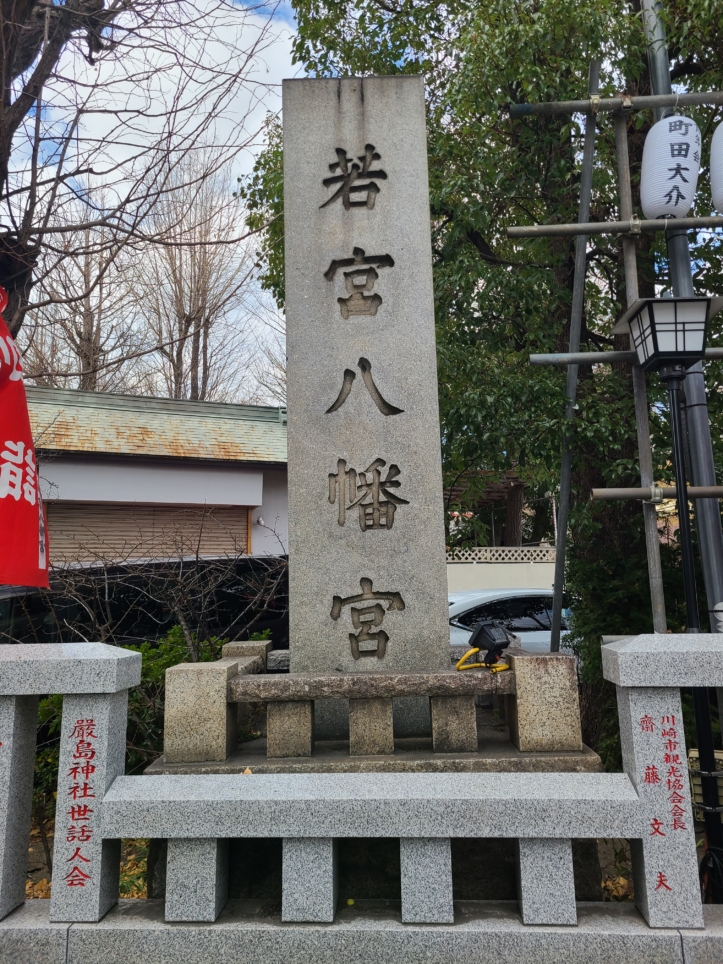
(376, 503)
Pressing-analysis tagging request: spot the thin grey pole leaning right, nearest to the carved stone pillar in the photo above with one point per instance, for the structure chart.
(578, 300)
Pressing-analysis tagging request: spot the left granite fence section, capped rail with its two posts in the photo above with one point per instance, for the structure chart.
(94, 679)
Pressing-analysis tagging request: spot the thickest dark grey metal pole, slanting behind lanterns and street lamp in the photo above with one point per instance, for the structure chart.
(707, 514)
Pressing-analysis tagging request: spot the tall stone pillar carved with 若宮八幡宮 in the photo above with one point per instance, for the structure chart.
(367, 576)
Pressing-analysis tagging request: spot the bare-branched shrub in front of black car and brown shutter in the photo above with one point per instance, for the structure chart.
(149, 581)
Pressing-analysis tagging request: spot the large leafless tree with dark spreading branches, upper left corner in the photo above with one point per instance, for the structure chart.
(117, 96)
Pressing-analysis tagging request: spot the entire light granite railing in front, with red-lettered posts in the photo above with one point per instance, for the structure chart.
(97, 806)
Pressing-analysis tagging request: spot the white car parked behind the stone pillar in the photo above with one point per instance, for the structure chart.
(524, 612)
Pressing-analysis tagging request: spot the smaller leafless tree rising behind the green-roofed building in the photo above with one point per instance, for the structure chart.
(192, 292)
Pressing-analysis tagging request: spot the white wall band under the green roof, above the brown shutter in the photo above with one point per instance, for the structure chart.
(131, 480)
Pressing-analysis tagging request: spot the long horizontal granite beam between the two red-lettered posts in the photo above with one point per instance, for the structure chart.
(374, 805)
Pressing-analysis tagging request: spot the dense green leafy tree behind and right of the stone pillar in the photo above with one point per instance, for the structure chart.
(498, 300)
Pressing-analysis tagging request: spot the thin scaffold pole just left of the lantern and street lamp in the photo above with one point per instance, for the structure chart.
(640, 393)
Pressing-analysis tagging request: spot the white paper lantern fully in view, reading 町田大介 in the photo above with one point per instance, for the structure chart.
(671, 161)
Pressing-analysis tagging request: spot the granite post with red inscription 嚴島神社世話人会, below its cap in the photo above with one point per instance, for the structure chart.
(92, 755)
